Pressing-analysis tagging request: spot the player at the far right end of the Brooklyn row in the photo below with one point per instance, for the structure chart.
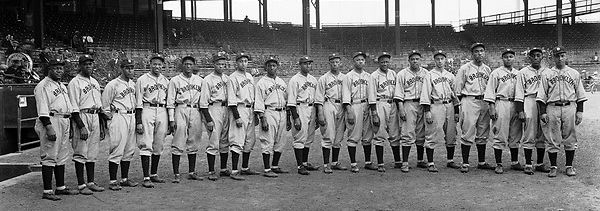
(560, 97)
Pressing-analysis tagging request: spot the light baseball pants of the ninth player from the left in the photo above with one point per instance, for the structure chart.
(306, 135)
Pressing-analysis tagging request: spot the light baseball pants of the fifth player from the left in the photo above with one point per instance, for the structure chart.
(188, 132)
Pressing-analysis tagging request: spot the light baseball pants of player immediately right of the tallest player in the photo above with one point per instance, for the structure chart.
(506, 129)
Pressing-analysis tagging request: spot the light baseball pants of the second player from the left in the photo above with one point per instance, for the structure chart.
(86, 150)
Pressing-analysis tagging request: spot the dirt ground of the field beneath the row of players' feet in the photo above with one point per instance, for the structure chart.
(368, 190)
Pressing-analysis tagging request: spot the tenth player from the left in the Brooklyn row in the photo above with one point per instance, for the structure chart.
(332, 97)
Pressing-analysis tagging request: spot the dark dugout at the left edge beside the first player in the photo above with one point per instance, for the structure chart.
(8, 117)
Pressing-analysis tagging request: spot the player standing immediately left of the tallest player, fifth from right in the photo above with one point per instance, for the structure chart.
(439, 104)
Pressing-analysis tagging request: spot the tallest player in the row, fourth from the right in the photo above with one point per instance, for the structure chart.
(470, 81)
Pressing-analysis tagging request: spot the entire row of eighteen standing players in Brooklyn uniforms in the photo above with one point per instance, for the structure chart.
(370, 108)
